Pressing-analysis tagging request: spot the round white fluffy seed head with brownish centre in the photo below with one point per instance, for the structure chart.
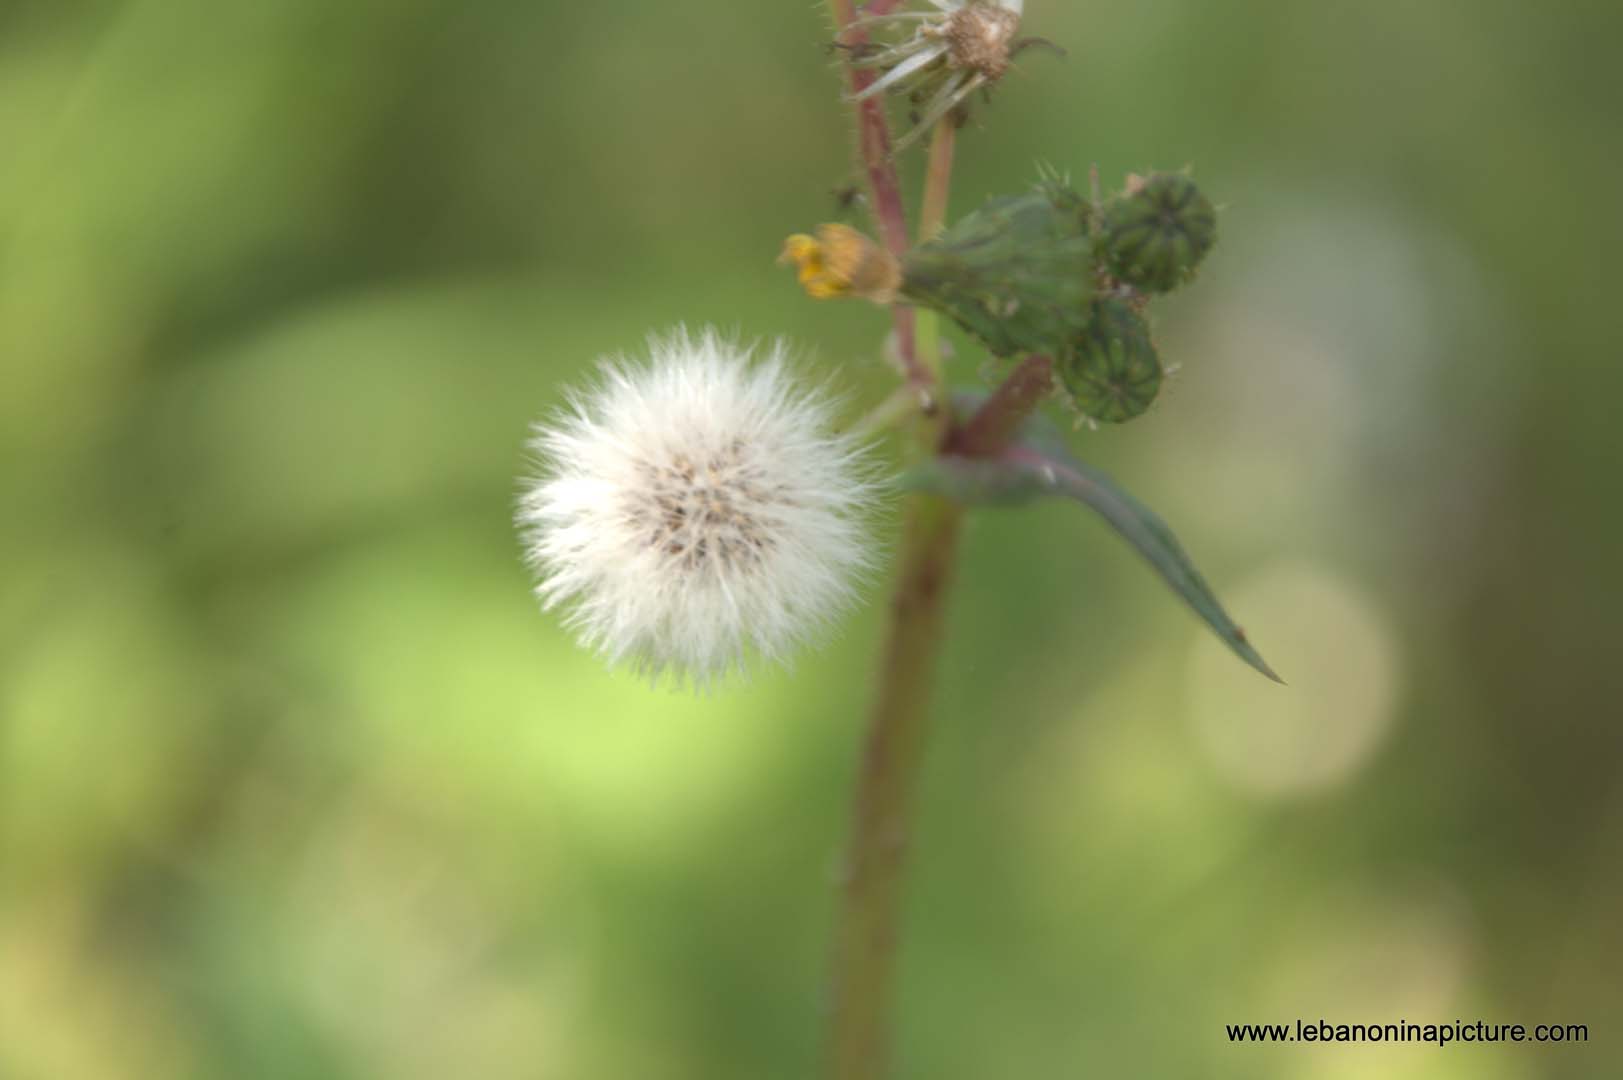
(695, 509)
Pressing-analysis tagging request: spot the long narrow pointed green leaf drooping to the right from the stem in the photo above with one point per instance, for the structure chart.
(1025, 473)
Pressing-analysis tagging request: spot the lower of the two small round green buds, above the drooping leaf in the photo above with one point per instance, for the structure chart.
(1113, 371)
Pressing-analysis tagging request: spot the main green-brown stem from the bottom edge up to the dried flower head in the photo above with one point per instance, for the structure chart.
(893, 753)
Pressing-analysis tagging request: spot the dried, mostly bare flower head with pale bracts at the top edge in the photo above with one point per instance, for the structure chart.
(954, 51)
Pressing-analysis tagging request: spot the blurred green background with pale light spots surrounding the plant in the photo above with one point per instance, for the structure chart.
(298, 782)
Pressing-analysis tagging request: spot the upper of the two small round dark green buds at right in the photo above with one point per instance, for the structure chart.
(1158, 235)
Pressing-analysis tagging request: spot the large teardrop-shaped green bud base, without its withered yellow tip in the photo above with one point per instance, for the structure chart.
(1018, 274)
